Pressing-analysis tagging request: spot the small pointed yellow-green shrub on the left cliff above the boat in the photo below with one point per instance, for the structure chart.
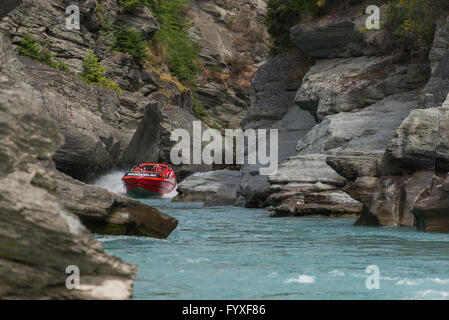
(94, 73)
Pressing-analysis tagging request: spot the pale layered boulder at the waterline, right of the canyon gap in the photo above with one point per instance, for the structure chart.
(305, 186)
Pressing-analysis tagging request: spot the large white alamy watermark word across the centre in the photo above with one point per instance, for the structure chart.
(189, 149)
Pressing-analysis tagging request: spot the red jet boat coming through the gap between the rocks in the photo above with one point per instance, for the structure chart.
(150, 179)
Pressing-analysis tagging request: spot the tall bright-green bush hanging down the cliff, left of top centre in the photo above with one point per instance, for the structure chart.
(172, 41)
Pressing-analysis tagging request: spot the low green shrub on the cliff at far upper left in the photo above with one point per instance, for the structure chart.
(30, 47)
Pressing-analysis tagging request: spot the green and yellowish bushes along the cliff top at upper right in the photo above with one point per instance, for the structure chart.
(412, 21)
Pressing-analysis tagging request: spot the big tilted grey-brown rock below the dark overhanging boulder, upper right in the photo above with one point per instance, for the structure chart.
(342, 85)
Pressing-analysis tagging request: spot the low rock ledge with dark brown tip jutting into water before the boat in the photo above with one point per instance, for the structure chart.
(104, 212)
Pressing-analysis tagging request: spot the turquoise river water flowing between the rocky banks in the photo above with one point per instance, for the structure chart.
(237, 253)
